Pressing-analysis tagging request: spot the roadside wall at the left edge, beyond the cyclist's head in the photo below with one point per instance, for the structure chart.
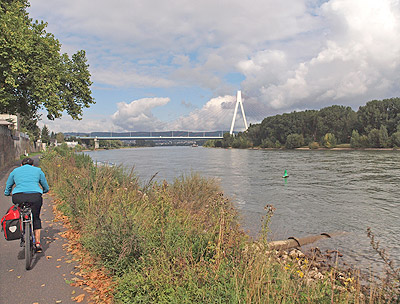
(12, 145)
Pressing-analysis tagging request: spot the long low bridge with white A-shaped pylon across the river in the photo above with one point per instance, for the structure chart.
(167, 135)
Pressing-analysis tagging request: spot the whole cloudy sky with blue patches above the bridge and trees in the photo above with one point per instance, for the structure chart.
(177, 65)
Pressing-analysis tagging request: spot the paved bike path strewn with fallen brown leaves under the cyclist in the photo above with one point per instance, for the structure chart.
(47, 281)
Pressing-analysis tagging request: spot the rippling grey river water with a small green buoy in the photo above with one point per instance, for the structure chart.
(326, 191)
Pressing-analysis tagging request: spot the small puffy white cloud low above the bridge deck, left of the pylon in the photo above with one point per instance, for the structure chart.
(137, 115)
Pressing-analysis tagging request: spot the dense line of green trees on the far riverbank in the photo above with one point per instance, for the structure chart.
(375, 125)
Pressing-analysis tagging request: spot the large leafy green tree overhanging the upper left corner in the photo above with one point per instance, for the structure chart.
(33, 73)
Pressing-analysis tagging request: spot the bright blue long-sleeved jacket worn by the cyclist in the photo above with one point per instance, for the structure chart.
(27, 179)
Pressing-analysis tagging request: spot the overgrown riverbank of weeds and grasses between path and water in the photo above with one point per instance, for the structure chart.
(179, 242)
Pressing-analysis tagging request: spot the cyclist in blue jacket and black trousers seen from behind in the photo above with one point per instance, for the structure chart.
(27, 179)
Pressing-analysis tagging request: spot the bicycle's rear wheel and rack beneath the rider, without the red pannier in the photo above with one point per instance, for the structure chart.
(28, 237)
